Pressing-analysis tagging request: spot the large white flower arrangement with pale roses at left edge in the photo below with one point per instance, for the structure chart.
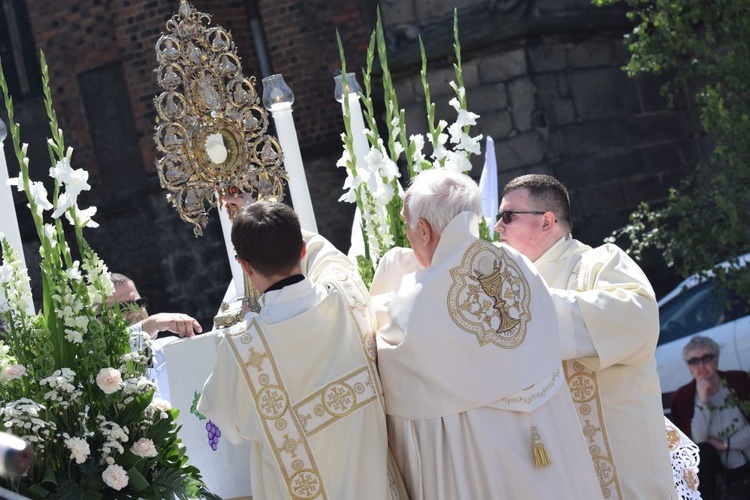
(72, 380)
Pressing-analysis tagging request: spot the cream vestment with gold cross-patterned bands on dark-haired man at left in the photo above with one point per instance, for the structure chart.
(299, 382)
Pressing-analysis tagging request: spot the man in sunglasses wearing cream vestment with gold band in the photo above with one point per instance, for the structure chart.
(608, 335)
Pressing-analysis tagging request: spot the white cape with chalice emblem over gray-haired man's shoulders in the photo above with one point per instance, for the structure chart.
(475, 327)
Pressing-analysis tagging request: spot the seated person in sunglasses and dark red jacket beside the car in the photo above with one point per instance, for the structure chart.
(714, 410)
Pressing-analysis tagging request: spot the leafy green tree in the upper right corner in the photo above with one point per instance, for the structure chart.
(701, 46)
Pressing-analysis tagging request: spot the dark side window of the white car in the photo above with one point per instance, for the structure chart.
(690, 312)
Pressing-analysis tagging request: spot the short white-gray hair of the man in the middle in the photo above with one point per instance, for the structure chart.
(439, 195)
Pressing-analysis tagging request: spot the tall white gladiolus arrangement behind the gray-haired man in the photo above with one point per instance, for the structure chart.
(373, 182)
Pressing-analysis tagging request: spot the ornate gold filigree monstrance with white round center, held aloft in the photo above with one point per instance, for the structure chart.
(210, 125)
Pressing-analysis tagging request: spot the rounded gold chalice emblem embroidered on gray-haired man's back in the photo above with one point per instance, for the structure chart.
(497, 309)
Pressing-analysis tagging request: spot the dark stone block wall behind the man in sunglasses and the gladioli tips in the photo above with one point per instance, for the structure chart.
(545, 77)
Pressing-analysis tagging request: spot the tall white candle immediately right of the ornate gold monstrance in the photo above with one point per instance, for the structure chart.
(282, 118)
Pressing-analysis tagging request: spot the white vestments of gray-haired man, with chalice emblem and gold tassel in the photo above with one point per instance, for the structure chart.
(470, 366)
